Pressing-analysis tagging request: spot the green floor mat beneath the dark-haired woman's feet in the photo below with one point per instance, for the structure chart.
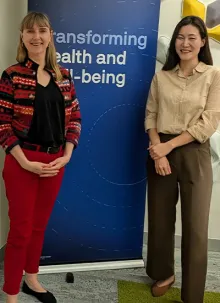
(131, 292)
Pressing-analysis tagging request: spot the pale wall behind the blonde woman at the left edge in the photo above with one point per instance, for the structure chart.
(11, 14)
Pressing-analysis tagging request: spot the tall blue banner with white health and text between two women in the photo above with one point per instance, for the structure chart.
(110, 48)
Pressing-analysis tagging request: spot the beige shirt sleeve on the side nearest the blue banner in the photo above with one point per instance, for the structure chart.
(152, 106)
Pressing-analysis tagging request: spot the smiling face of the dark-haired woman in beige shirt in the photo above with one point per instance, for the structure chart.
(188, 43)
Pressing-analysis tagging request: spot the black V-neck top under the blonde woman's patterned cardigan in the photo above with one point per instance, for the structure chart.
(47, 128)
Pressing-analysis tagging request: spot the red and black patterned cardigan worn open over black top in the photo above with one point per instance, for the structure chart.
(17, 94)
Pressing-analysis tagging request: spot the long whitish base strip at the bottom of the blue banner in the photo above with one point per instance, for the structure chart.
(52, 269)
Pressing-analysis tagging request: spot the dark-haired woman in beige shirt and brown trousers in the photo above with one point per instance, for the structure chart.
(182, 113)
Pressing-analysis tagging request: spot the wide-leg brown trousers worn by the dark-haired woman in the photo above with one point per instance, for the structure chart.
(192, 177)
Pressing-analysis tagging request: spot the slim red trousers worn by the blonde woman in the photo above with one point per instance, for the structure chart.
(31, 199)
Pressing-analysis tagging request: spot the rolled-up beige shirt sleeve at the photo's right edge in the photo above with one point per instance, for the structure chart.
(208, 123)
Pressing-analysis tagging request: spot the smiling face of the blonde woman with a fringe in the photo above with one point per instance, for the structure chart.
(36, 39)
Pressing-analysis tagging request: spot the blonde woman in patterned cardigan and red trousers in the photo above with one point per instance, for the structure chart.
(40, 127)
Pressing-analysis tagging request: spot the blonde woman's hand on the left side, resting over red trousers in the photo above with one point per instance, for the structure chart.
(43, 169)
